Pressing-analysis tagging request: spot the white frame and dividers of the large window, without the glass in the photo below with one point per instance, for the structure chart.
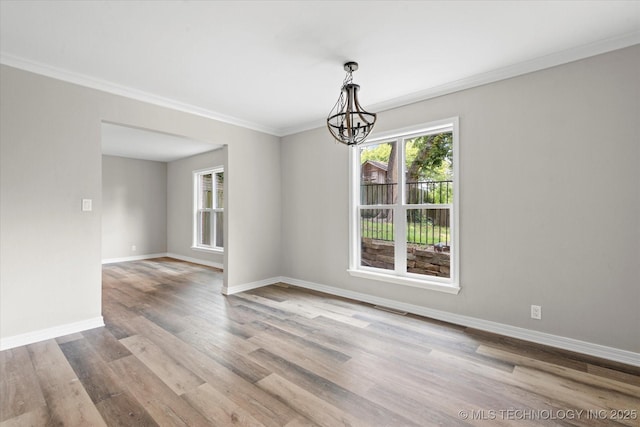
(399, 275)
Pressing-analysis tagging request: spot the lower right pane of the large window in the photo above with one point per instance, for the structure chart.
(429, 241)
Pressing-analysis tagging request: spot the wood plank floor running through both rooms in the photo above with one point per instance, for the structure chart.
(175, 352)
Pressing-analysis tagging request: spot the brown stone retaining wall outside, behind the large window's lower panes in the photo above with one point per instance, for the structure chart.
(420, 259)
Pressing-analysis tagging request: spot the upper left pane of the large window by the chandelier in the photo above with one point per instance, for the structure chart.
(379, 174)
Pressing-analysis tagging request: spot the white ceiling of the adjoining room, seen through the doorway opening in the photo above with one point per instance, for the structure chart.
(124, 141)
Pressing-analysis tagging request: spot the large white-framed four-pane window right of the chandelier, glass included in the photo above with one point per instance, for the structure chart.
(404, 209)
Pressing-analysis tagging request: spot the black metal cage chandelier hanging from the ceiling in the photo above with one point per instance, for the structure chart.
(348, 122)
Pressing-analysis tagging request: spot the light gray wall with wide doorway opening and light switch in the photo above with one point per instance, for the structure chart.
(50, 159)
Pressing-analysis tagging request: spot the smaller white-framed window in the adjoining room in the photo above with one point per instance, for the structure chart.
(209, 209)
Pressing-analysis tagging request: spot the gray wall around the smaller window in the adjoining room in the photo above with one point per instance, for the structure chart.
(180, 204)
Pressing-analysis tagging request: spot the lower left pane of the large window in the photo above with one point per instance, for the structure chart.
(377, 238)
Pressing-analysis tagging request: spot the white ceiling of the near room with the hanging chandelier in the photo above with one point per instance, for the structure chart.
(277, 66)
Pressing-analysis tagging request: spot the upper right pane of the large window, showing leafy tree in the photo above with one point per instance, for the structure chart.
(429, 169)
